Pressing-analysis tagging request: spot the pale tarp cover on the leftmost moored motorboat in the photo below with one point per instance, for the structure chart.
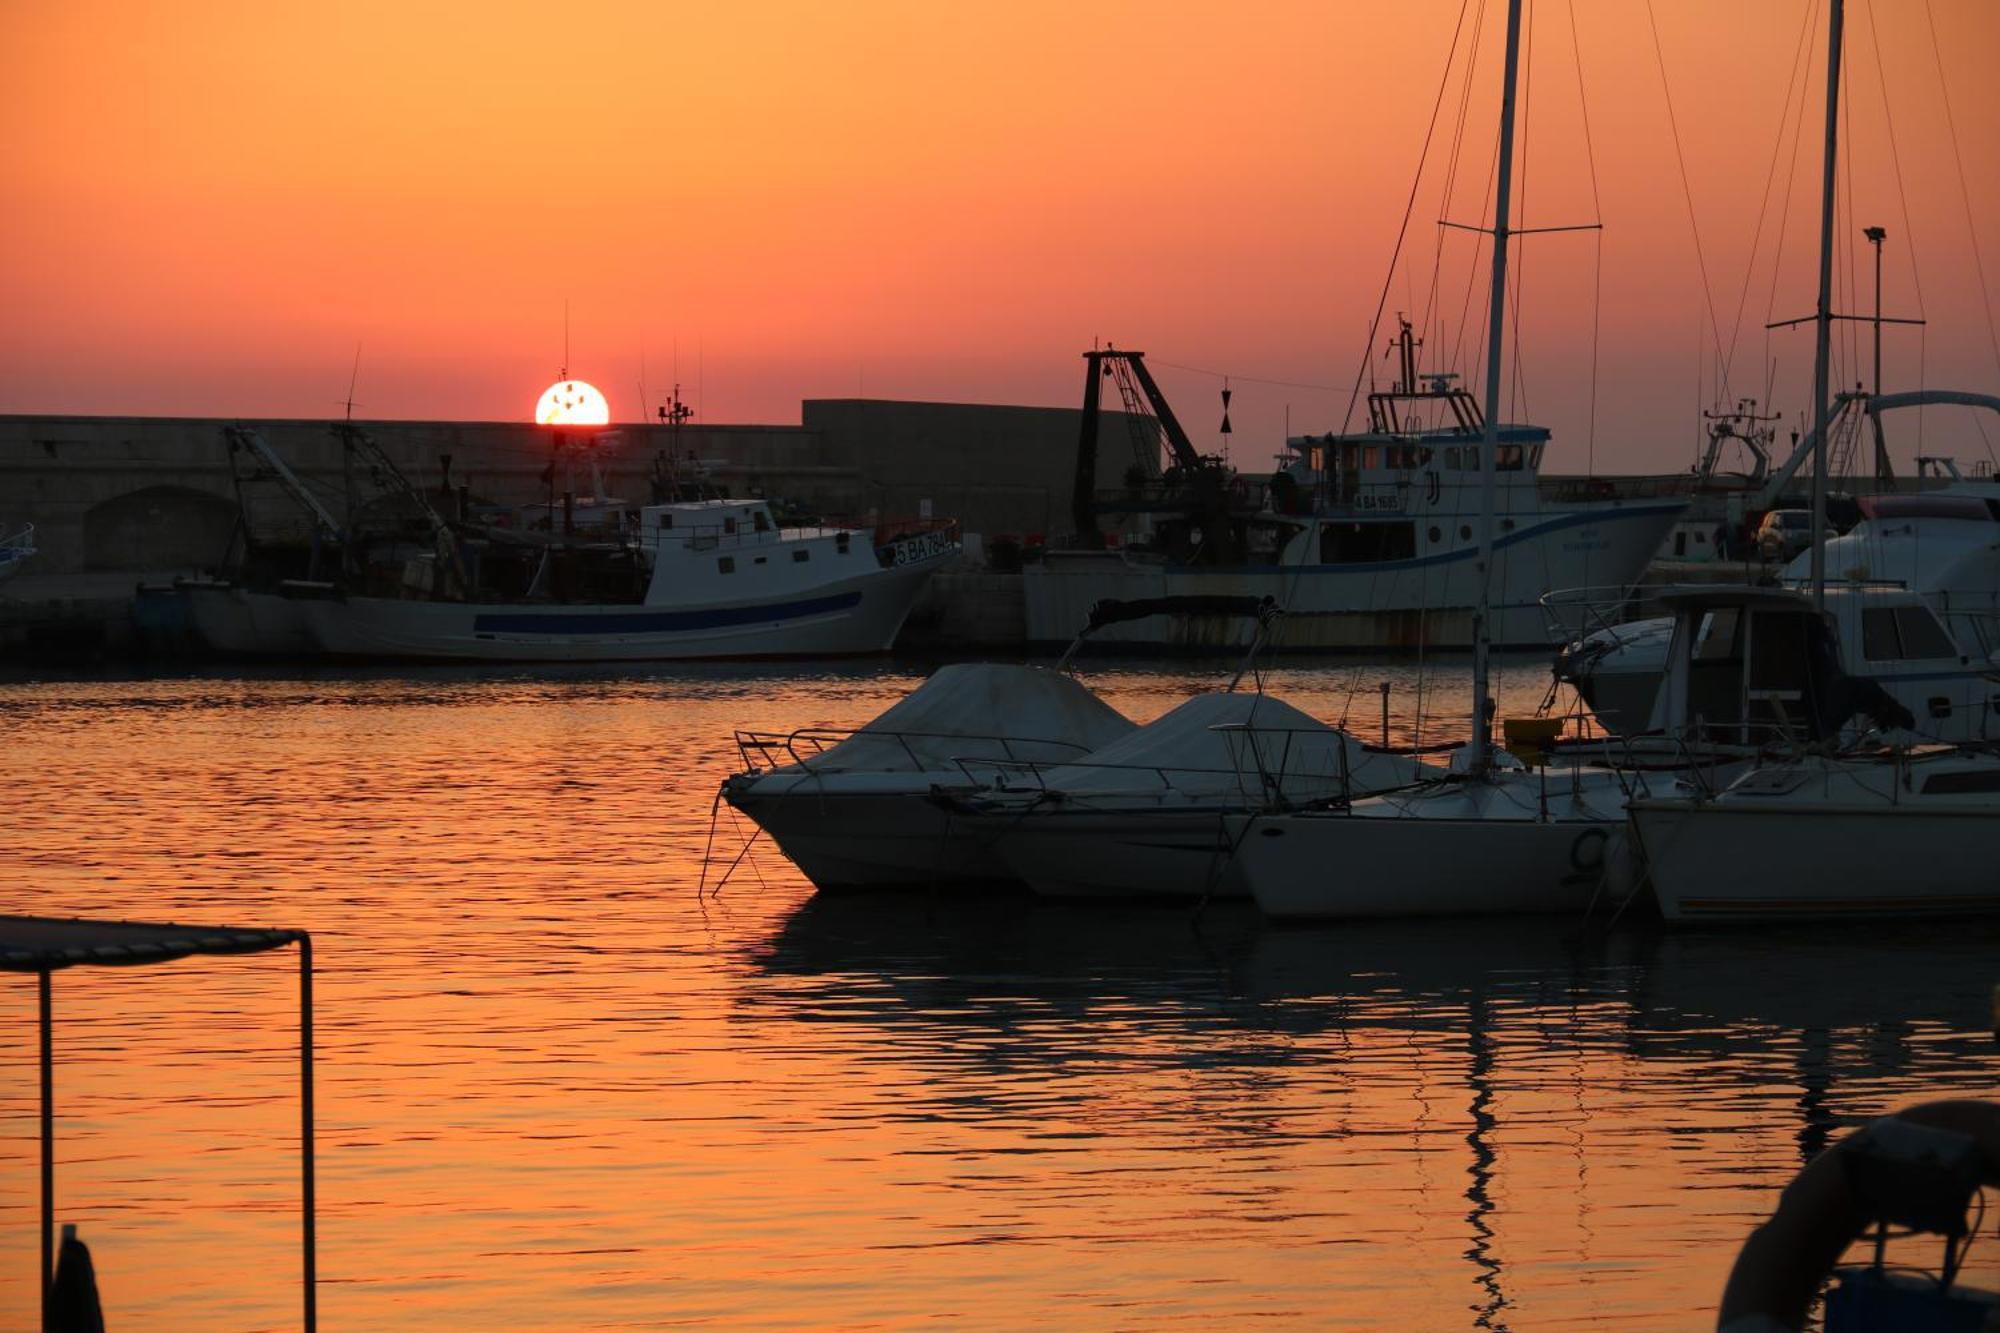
(981, 712)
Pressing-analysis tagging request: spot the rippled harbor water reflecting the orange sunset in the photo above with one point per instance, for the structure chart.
(559, 1090)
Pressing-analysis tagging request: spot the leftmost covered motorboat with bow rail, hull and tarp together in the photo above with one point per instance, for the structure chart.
(855, 810)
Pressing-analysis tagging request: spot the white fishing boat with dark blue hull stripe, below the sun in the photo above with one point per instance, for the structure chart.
(701, 579)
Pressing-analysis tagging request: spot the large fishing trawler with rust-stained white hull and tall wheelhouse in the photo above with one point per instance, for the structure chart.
(1375, 539)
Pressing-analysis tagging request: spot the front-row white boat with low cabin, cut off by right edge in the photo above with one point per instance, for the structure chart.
(1901, 834)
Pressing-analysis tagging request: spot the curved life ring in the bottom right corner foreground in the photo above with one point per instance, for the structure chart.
(1783, 1264)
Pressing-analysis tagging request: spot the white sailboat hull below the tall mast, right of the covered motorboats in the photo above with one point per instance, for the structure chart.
(1355, 868)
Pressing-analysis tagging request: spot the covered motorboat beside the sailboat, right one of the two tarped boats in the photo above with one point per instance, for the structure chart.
(1149, 814)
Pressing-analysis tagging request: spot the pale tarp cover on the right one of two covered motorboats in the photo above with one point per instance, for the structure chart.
(1235, 746)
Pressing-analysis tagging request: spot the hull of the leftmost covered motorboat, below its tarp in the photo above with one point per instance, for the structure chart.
(845, 842)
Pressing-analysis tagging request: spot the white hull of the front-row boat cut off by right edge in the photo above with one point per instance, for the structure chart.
(1719, 864)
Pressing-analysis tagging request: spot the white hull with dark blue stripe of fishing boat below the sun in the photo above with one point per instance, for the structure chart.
(853, 617)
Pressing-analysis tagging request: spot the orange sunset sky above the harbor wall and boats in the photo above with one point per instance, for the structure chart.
(211, 205)
